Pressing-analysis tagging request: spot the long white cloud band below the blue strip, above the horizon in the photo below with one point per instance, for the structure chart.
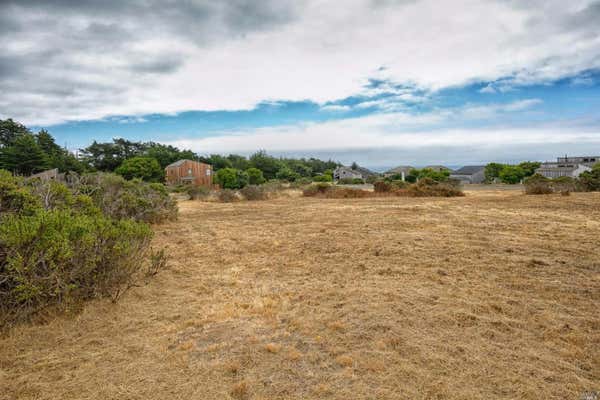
(391, 130)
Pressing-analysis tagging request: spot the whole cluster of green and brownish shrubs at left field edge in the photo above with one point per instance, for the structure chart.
(60, 244)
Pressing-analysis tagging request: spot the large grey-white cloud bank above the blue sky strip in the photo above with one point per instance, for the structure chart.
(73, 63)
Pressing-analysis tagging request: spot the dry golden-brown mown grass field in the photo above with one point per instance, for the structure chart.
(495, 295)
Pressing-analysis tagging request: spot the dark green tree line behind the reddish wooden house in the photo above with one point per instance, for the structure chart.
(24, 152)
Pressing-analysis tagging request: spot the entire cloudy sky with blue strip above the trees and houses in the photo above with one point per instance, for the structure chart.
(382, 82)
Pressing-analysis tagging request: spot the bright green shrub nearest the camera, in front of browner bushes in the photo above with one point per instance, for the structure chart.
(58, 257)
